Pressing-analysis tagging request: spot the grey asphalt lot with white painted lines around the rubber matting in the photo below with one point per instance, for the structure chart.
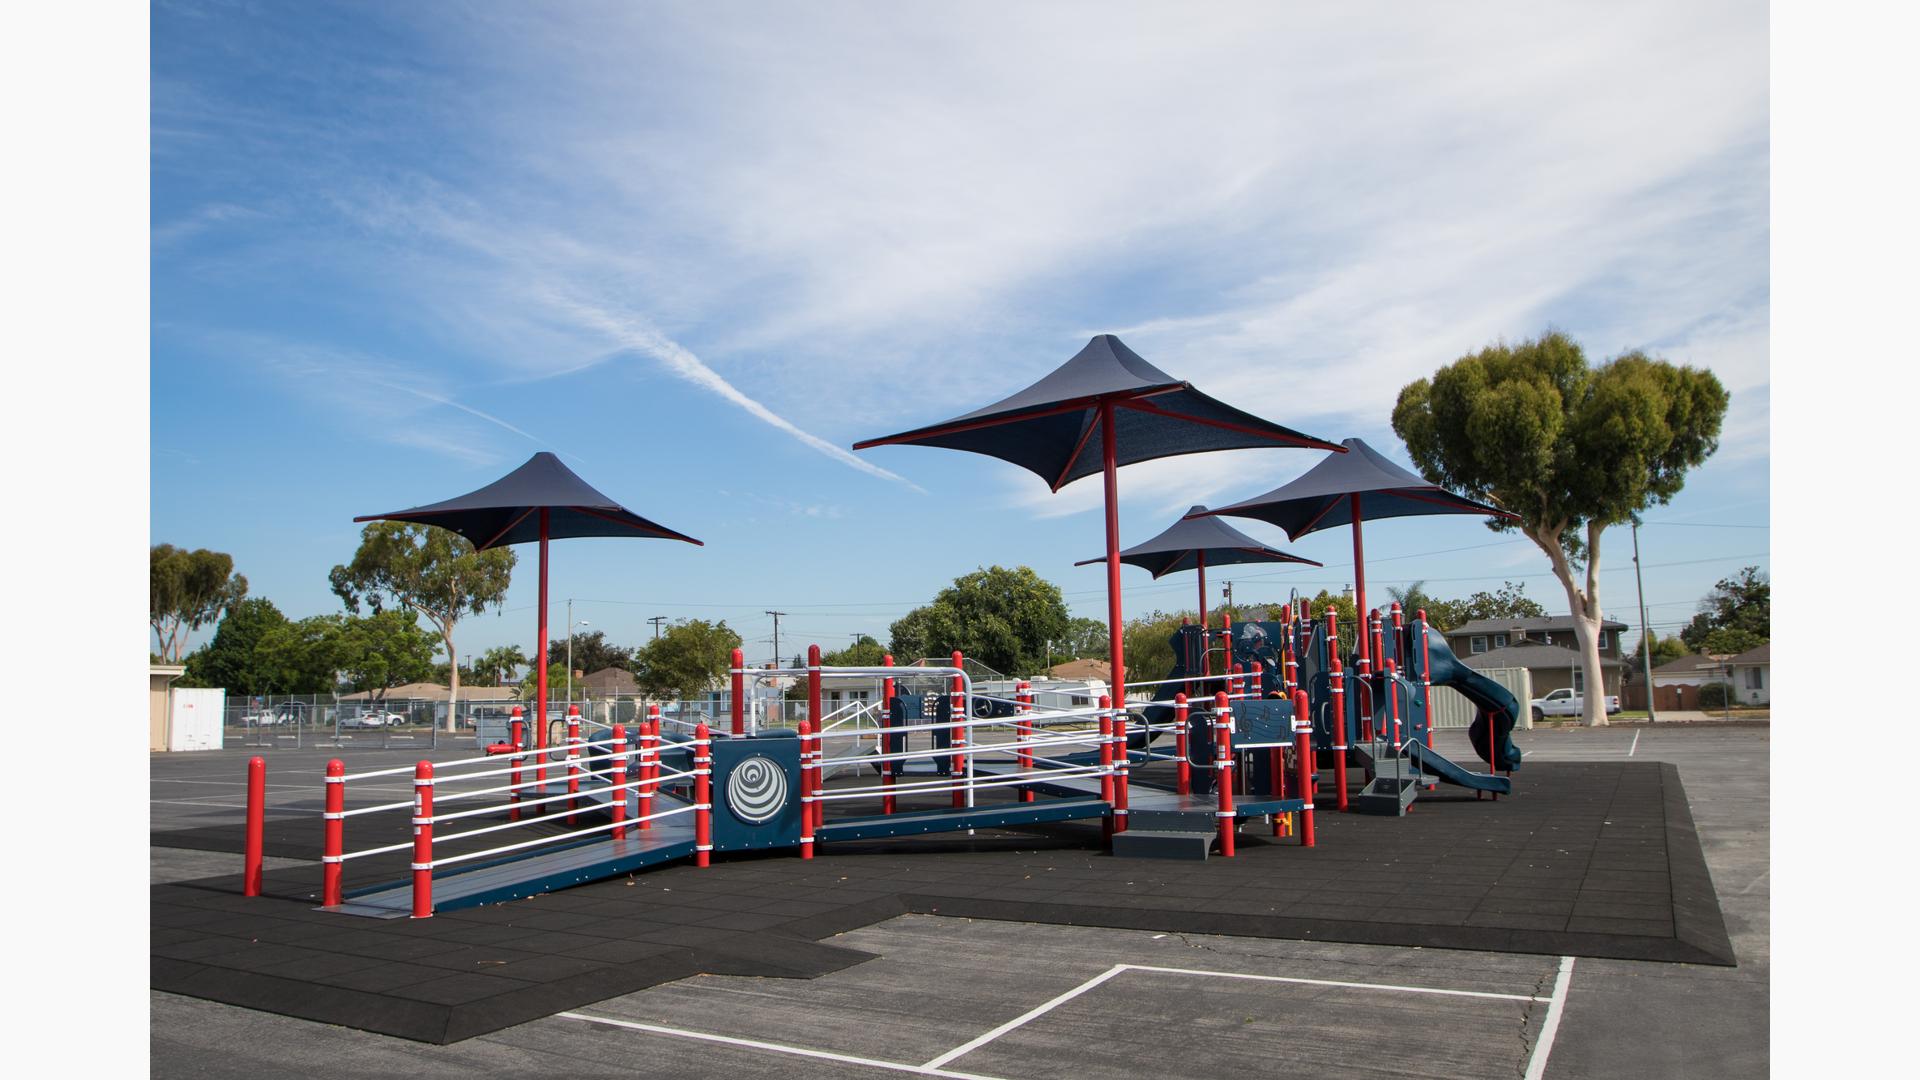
(984, 998)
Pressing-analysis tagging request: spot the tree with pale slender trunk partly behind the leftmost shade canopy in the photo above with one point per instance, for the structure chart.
(429, 572)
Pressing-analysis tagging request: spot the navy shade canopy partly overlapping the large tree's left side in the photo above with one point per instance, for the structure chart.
(1326, 495)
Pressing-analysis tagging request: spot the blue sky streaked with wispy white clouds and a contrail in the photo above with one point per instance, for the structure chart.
(702, 251)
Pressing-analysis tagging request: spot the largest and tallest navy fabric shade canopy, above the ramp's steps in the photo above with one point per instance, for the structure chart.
(1055, 428)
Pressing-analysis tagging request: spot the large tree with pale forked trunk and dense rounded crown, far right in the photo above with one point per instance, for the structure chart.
(1568, 447)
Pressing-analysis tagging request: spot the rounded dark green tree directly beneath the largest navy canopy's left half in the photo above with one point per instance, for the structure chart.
(1001, 618)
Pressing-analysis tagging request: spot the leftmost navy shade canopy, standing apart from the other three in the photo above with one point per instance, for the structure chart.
(506, 512)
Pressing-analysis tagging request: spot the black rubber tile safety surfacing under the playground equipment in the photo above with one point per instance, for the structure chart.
(1593, 860)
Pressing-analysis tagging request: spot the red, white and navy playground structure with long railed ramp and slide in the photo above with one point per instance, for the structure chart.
(1245, 727)
